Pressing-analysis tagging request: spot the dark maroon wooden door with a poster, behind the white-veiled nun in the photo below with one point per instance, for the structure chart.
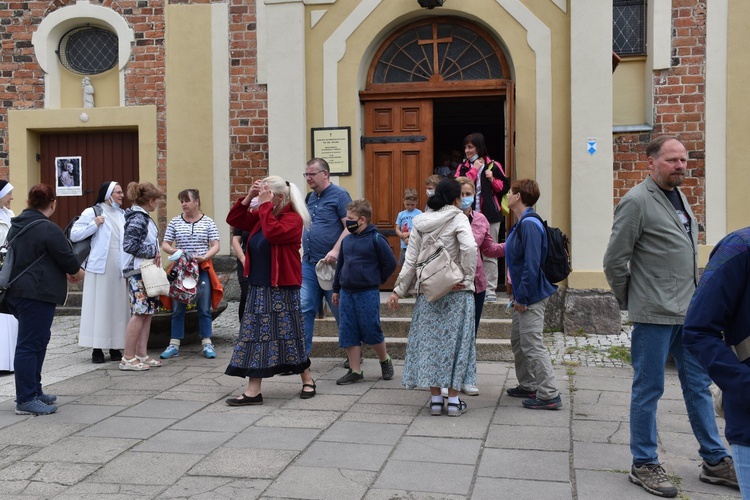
(105, 156)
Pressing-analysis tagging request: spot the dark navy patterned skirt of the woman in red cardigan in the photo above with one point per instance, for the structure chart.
(272, 336)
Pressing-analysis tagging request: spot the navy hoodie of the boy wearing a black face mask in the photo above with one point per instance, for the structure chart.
(365, 262)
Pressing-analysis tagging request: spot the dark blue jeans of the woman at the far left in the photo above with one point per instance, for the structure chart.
(34, 331)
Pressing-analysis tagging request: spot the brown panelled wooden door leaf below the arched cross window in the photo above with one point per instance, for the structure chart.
(392, 167)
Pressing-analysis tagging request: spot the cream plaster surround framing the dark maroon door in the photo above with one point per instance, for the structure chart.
(24, 127)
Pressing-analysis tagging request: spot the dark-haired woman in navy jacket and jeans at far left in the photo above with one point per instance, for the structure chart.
(43, 258)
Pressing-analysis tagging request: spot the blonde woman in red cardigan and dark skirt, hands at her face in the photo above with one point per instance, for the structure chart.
(272, 338)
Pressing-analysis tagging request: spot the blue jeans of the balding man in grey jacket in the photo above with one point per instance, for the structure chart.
(650, 345)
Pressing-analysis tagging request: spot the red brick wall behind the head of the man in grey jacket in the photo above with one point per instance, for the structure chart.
(679, 109)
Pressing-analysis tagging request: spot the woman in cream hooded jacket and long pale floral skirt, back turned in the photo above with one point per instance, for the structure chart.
(440, 351)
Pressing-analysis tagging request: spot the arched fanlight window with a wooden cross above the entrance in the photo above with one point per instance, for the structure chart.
(438, 51)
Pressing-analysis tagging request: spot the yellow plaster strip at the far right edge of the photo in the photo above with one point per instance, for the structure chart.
(738, 117)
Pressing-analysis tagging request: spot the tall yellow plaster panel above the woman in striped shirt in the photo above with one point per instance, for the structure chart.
(189, 101)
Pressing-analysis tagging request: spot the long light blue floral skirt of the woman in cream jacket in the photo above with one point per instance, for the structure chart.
(441, 349)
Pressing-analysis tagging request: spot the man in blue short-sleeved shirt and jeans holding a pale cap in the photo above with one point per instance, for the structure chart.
(327, 205)
